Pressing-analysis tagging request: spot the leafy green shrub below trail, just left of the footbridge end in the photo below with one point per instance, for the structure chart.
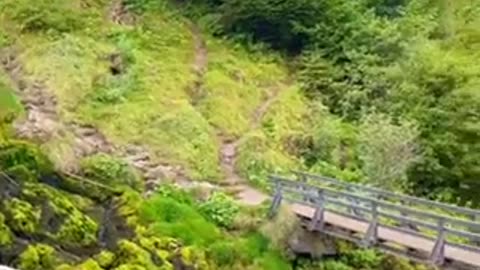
(220, 209)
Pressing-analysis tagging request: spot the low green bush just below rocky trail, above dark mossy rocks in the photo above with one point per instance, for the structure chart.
(110, 171)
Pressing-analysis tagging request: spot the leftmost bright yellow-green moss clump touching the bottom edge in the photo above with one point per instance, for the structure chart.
(38, 257)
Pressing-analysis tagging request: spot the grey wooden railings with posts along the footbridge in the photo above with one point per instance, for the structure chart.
(379, 208)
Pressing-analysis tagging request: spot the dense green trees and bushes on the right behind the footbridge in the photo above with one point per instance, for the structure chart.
(401, 78)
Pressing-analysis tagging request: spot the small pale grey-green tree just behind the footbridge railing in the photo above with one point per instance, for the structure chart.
(387, 150)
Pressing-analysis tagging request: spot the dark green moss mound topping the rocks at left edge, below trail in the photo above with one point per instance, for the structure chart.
(14, 153)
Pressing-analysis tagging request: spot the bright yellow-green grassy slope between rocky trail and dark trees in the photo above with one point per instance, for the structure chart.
(149, 103)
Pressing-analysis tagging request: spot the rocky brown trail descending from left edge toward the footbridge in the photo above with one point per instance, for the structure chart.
(42, 123)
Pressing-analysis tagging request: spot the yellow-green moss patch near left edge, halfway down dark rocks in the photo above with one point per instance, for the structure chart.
(22, 216)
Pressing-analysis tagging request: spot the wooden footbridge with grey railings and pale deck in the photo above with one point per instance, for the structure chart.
(419, 229)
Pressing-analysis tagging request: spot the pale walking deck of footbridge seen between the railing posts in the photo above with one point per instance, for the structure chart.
(391, 235)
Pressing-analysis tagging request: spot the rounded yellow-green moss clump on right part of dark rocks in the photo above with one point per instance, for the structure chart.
(78, 229)
